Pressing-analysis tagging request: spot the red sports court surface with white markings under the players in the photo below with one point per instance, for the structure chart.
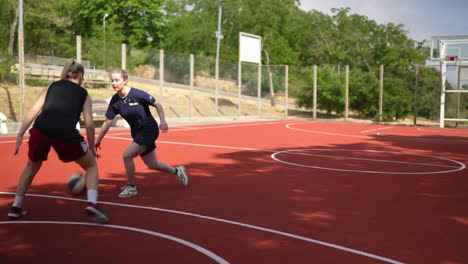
(289, 191)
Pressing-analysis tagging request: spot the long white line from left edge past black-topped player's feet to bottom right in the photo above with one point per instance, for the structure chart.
(273, 231)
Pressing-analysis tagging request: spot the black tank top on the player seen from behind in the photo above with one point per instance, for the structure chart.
(61, 111)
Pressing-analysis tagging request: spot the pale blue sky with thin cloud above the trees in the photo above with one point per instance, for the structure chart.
(422, 18)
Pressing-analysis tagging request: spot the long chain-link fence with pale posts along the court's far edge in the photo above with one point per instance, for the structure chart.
(188, 87)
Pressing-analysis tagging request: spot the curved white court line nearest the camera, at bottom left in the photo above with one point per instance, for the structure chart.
(196, 247)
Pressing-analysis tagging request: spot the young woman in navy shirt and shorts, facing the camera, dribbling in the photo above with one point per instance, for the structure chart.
(133, 105)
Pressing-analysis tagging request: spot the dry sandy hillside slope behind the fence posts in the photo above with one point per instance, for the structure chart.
(176, 102)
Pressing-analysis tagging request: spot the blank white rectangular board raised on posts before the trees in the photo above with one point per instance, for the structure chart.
(250, 48)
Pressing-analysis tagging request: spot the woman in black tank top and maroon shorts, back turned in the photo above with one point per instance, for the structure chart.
(56, 112)
